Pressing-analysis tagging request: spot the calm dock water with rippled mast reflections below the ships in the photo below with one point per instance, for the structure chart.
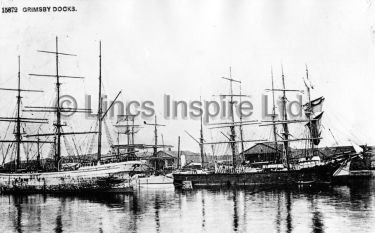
(336, 209)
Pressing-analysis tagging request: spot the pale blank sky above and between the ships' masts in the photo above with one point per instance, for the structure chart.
(181, 48)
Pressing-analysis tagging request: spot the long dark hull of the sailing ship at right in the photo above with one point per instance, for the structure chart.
(307, 176)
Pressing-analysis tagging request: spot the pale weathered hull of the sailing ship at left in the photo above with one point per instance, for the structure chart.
(101, 178)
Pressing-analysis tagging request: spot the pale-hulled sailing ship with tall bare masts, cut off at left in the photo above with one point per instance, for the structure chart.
(95, 177)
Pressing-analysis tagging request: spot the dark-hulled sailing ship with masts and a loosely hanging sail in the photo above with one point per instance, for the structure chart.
(283, 172)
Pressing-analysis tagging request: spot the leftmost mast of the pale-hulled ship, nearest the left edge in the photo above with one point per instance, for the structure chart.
(18, 119)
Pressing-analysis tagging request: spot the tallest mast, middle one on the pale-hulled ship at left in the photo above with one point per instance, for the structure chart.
(58, 110)
